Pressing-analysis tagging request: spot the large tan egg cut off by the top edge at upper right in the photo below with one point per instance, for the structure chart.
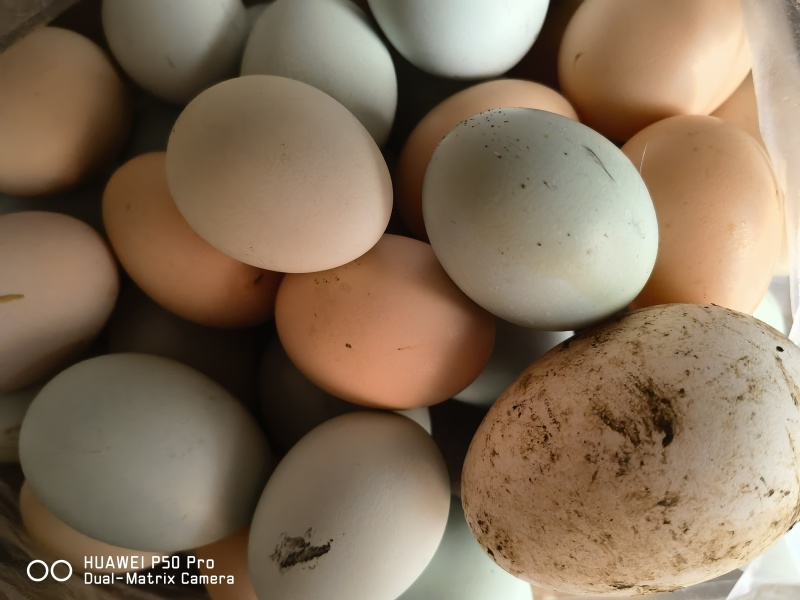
(625, 64)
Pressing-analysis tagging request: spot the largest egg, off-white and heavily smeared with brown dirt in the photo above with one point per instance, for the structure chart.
(653, 452)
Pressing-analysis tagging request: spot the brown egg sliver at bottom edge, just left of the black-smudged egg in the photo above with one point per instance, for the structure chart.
(224, 559)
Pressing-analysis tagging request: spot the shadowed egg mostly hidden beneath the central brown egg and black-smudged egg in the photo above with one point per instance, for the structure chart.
(291, 405)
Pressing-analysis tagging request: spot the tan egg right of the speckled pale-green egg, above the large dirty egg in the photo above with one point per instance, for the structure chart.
(719, 211)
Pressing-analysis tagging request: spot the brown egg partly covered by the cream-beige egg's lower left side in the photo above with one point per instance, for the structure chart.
(170, 262)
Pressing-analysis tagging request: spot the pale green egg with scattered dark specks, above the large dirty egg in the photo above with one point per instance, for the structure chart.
(539, 219)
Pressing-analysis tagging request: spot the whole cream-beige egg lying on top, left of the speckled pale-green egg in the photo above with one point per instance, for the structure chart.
(278, 175)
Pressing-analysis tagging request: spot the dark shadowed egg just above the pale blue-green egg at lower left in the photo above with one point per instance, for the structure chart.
(229, 357)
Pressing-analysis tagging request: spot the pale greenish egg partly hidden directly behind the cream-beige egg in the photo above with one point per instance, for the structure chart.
(331, 45)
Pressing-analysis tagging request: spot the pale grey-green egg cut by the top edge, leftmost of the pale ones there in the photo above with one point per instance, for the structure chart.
(175, 49)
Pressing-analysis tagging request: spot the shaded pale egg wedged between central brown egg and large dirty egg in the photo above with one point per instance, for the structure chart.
(515, 348)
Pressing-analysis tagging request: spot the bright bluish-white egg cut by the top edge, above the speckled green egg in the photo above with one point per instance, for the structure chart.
(464, 39)
